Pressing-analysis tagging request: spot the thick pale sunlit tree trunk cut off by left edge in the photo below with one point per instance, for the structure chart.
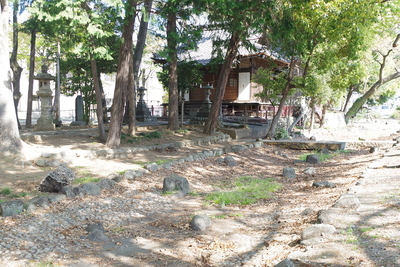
(10, 141)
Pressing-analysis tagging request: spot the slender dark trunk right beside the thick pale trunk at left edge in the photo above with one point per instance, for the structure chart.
(16, 68)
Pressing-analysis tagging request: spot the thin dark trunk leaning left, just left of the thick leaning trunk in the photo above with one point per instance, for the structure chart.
(99, 109)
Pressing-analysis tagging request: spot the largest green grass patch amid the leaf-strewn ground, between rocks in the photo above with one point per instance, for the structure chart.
(246, 190)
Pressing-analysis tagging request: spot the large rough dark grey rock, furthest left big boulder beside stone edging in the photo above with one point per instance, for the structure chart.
(57, 179)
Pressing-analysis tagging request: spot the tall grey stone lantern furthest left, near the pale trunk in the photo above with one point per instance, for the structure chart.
(45, 122)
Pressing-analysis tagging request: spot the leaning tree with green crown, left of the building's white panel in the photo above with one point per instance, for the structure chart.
(236, 22)
